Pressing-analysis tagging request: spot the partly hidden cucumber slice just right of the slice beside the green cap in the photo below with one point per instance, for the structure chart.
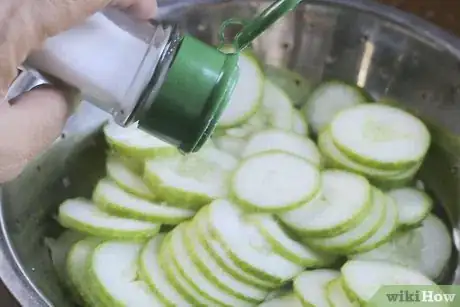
(277, 106)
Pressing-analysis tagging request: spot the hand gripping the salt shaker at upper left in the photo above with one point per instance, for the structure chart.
(32, 121)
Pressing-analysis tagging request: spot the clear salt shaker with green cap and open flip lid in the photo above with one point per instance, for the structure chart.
(173, 85)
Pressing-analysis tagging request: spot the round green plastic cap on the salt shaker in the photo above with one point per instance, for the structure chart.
(195, 92)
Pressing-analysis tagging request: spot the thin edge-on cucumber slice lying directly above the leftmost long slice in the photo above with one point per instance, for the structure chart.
(110, 198)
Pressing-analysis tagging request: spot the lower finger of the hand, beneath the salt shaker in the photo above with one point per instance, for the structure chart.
(28, 127)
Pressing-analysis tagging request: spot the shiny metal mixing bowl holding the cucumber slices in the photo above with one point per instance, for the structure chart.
(390, 54)
